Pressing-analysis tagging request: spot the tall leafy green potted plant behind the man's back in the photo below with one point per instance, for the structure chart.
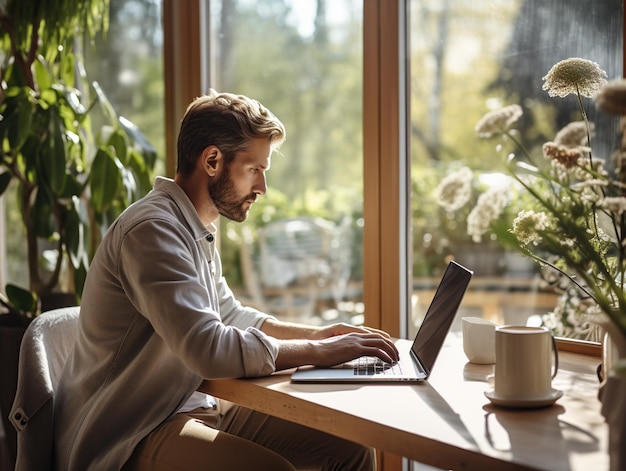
(75, 164)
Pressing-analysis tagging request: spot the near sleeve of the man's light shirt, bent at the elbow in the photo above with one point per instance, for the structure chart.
(163, 271)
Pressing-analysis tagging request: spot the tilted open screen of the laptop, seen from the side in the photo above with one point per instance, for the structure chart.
(440, 314)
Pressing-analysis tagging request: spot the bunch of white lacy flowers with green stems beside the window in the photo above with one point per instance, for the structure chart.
(572, 217)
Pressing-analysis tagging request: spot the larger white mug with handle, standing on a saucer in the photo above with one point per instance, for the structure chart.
(524, 362)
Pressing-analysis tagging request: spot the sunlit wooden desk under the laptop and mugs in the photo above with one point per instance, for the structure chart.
(446, 422)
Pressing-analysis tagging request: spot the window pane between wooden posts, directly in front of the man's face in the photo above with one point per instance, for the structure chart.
(299, 253)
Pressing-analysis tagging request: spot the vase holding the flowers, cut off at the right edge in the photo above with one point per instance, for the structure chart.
(612, 395)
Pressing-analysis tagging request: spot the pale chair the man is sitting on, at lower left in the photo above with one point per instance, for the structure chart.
(45, 346)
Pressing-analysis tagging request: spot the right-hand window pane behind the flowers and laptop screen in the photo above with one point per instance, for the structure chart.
(468, 58)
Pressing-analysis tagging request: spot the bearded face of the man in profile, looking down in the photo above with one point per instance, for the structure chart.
(238, 185)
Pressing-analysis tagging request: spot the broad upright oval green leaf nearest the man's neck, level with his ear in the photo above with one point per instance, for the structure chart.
(105, 180)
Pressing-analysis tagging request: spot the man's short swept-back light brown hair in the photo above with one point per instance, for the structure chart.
(226, 121)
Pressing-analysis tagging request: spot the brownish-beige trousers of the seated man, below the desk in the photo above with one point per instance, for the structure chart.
(243, 439)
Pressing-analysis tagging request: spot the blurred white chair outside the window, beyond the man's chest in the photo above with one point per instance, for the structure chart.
(295, 264)
